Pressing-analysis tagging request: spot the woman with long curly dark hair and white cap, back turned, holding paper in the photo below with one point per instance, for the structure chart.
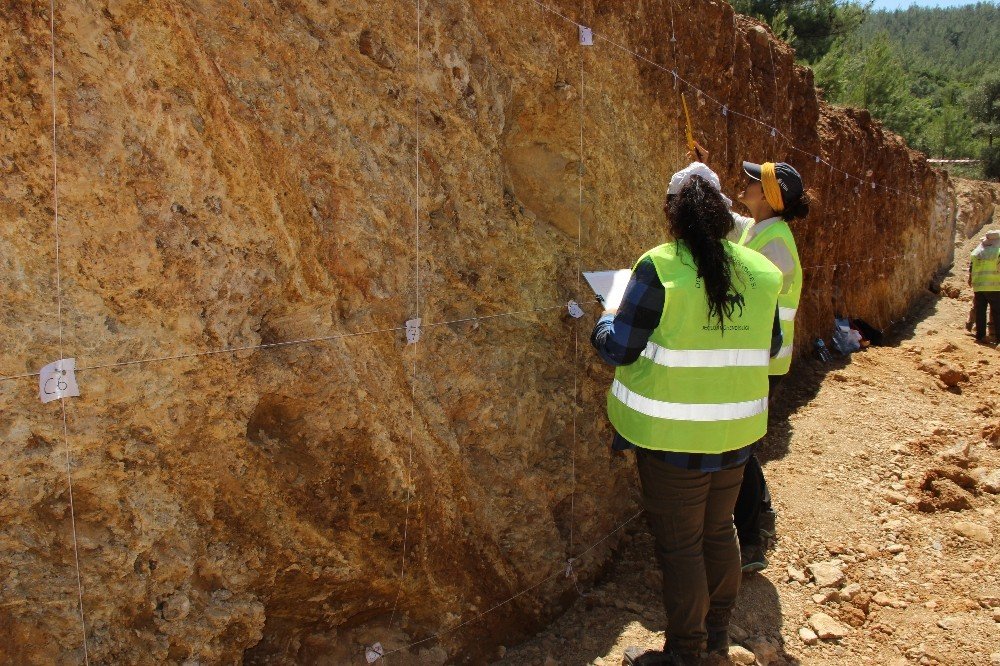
(691, 342)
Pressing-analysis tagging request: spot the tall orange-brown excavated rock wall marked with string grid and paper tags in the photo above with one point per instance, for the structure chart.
(236, 174)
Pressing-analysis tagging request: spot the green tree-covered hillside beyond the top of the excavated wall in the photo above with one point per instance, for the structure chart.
(930, 74)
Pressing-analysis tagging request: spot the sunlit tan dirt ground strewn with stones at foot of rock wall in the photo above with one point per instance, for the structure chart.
(885, 469)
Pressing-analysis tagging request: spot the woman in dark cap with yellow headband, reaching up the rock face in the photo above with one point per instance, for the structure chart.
(775, 196)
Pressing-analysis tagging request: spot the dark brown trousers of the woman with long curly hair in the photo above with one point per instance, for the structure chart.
(690, 514)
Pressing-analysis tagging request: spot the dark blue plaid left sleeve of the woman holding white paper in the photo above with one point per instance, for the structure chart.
(621, 338)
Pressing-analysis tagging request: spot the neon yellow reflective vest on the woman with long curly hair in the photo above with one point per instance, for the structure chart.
(699, 387)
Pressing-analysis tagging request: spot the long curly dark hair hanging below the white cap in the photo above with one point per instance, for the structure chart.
(699, 217)
